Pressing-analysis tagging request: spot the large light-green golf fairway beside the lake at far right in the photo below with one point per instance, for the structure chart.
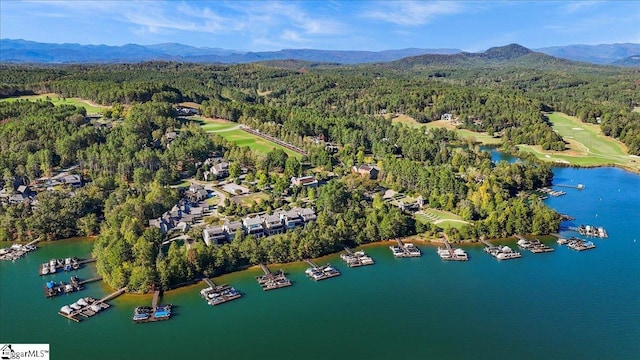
(587, 145)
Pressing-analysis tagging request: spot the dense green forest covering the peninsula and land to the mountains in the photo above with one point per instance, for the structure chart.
(129, 165)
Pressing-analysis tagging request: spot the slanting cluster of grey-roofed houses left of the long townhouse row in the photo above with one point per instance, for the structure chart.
(187, 212)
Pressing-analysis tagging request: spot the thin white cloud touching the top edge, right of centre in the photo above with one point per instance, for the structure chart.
(412, 13)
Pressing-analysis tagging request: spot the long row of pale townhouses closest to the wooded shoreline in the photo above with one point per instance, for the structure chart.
(259, 225)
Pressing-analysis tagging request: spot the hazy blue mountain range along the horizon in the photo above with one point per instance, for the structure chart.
(22, 51)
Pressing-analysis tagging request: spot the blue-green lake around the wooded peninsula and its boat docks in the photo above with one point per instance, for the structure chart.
(559, 305)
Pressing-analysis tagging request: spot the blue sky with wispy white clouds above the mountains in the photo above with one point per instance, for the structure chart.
(338, 25)
